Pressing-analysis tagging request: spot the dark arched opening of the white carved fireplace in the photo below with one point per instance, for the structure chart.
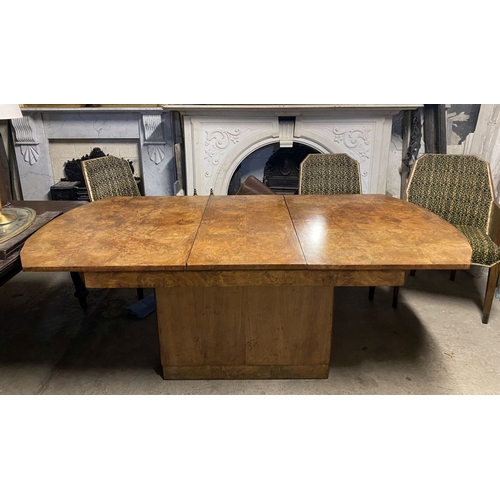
(277, 168)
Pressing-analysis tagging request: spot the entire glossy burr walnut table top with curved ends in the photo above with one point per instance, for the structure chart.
(138, 234)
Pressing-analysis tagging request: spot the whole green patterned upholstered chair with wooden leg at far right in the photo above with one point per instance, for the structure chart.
(459, 189)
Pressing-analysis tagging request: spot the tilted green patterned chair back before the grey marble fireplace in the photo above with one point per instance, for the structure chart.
(109, 176)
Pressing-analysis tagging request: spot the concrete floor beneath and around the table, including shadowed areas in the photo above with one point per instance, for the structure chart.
(433, 343)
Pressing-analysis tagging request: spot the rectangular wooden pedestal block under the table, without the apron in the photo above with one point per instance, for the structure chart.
(245, 332)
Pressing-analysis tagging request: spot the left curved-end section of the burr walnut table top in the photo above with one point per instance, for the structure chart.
(118, 234)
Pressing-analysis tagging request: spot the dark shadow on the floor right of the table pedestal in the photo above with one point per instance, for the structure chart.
(371, 331)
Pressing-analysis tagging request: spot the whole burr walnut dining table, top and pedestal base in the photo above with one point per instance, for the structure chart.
(244, 285)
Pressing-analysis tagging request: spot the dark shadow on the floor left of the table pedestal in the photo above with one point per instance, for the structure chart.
(57, 333)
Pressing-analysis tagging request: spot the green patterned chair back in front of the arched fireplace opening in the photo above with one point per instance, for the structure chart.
(329, 174)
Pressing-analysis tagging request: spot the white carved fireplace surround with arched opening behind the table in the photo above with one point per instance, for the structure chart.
(219, 137)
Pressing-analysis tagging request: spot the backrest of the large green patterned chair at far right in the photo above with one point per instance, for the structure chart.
(458, 188)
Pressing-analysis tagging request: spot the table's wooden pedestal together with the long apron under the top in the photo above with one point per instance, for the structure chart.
(256, 324)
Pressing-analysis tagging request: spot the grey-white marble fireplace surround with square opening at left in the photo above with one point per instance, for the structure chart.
(149, 128)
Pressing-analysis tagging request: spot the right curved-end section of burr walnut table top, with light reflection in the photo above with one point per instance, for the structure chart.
(374, 232)
